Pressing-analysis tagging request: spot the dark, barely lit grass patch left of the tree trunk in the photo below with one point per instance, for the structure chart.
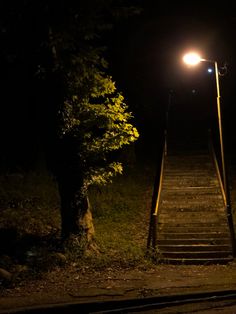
(29, 204)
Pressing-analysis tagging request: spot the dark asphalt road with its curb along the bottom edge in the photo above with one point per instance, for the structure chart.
(223, 302)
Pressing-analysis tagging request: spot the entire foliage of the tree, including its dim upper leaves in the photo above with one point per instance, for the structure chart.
(93, 111)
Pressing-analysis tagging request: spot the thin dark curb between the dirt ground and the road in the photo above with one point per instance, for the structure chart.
(124, 305)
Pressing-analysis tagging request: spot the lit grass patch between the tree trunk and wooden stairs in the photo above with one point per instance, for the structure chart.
(121, 215)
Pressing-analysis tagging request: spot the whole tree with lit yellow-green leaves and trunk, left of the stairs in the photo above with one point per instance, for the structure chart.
(93, 120)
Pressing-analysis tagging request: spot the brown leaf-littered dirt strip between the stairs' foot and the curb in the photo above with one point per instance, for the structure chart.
(72, 285)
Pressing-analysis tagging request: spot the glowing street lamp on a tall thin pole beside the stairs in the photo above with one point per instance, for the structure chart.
(193, 59)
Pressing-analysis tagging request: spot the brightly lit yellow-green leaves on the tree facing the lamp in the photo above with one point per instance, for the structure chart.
(98, 117)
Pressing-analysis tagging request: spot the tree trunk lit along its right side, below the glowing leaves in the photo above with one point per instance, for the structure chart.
(76, 216)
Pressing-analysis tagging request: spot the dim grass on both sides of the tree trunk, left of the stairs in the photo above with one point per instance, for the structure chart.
(30, 220)
